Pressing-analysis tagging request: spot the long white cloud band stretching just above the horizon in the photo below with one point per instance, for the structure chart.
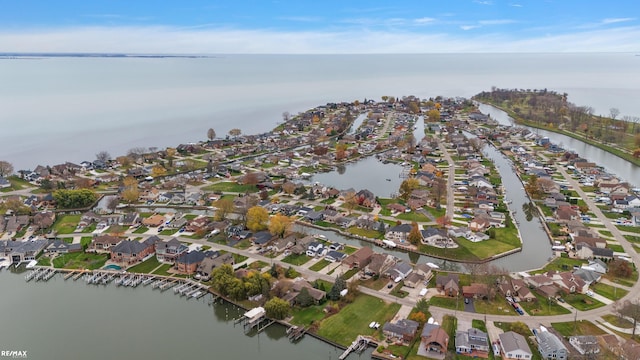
(168, 40)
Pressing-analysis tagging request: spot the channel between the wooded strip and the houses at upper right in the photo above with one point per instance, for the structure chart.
(611, 163)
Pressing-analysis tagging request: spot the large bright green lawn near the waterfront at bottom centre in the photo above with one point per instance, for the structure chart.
(354, 319)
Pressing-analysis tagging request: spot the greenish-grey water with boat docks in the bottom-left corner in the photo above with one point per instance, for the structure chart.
(62, 319)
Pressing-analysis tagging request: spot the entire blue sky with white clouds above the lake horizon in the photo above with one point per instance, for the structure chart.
(319, 27)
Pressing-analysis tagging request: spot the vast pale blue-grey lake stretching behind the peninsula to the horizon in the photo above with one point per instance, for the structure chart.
(68, 109)
